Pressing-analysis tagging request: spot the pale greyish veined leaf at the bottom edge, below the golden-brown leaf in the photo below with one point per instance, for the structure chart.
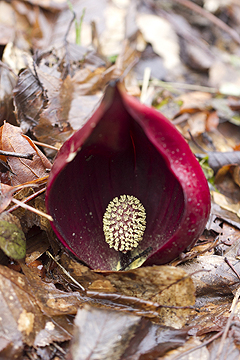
(111, 335)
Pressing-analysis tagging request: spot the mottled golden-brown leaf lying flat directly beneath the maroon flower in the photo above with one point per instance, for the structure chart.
(163, 285)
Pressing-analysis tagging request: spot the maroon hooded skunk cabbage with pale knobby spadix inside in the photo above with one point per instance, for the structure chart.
(125, 189)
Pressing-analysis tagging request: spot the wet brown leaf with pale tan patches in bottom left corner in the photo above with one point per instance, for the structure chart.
(22, 320)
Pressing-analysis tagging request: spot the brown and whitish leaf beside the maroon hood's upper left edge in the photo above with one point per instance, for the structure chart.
(72, 105)
